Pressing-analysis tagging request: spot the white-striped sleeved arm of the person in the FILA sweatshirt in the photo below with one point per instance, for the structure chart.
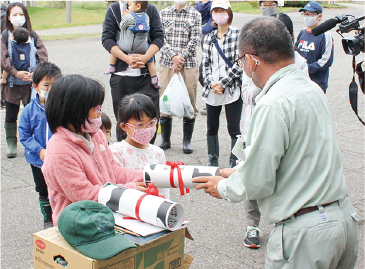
(326, 58)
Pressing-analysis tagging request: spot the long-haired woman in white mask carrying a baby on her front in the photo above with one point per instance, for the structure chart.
(18, 85)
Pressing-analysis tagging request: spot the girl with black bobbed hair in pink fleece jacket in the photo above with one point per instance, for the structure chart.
(78, 160)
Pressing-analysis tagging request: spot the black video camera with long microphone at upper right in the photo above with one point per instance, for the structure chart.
(348, 23)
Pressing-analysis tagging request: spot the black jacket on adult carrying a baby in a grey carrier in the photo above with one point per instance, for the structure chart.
(111, 27)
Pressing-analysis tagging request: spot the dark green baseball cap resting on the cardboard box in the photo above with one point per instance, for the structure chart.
(88, 226)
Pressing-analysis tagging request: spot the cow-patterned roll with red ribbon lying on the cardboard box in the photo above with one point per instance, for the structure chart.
(145, 207)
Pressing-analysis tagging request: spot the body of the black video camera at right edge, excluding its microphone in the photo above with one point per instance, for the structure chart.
(353, 45)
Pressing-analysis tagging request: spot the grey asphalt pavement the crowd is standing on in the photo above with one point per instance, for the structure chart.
(218, 227)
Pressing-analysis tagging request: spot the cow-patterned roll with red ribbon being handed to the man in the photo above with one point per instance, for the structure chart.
(176, 175)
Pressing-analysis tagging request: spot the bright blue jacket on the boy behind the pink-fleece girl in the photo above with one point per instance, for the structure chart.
(34, 131)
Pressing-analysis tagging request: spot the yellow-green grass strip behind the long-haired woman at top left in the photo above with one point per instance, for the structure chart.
(49, 18)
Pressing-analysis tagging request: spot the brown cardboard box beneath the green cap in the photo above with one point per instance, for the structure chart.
(165, 252)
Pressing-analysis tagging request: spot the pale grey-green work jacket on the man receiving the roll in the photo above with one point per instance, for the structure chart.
(292, 155)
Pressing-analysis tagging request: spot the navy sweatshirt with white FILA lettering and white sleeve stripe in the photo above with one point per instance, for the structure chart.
(318, 51)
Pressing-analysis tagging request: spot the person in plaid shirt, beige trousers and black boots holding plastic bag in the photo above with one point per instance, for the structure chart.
(182, 31)
